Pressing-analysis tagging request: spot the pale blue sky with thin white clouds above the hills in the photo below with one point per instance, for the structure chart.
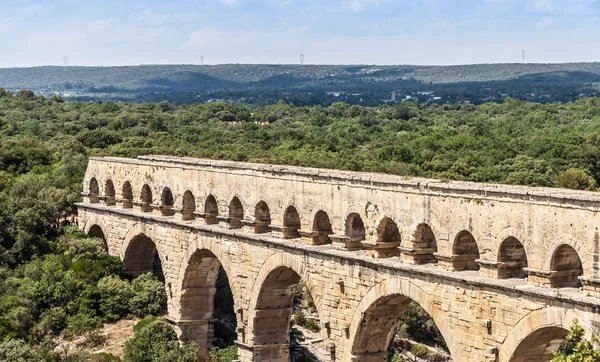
(128, 32)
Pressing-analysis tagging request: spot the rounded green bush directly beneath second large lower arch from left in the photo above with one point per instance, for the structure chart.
(150, 296)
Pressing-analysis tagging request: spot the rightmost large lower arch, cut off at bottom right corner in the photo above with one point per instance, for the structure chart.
(537, 333)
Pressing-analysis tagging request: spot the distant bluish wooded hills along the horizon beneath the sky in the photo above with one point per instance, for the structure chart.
(366, 85)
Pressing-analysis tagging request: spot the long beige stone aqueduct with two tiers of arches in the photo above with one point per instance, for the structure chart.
(503, 271)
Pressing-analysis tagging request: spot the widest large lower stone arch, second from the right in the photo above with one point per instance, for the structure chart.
(376, 318)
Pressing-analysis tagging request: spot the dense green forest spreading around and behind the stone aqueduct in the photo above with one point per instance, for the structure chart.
(55, 281)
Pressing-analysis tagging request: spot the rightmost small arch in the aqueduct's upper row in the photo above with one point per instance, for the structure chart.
(565, 267)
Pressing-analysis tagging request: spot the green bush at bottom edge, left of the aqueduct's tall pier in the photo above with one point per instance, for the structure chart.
(156, 341)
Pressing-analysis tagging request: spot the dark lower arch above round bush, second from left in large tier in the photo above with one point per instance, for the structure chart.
(140, 253)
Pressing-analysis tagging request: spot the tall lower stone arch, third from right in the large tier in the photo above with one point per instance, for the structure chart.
(271, 308)
